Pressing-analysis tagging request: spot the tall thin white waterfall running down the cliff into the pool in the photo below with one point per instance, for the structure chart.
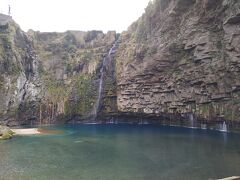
(100, 85)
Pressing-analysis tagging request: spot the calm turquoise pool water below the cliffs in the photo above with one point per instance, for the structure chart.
(121, 152)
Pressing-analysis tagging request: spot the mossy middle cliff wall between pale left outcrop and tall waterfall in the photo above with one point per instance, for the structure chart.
(69, 65)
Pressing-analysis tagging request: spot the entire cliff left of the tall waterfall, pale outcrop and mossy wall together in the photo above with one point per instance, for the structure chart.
(49, 77)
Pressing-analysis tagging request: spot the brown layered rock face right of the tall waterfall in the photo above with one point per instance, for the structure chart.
(182, 57)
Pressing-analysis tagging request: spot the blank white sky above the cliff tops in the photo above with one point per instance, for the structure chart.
(62, 15)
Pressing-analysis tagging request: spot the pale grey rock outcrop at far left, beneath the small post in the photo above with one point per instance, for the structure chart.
(18, 70)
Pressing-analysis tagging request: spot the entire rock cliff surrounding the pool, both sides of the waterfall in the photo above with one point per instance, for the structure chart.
(179, 61)
